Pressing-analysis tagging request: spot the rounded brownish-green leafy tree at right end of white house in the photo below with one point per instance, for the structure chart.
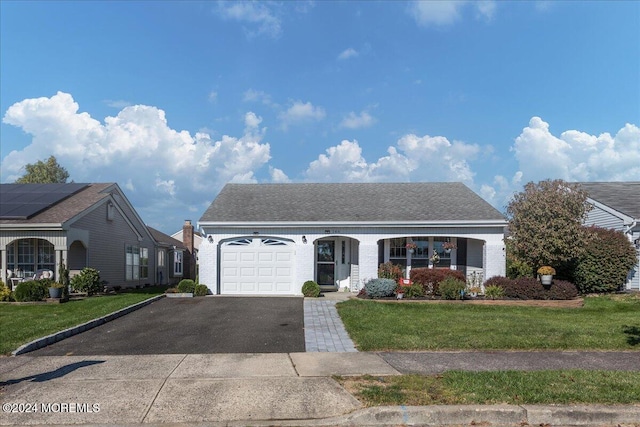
(545, 223)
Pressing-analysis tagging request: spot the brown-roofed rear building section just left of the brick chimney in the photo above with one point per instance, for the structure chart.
(171, 259)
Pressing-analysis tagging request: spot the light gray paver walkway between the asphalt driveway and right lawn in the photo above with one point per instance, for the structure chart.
(323, 328)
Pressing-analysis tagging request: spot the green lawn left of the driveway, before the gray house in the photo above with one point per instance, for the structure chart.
(21, 324)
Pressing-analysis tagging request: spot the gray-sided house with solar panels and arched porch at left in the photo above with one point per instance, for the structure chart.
(80, 225)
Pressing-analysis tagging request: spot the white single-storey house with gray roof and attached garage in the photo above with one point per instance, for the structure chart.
(268, 239)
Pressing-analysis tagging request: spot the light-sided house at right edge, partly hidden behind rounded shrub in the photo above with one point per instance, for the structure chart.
(616, 205)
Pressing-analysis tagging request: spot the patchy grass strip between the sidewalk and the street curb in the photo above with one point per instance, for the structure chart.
(504, 387)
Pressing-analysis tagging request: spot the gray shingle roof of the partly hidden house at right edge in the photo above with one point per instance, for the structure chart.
(621, 196)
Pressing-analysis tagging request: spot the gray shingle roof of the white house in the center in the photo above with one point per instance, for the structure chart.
(349, 203)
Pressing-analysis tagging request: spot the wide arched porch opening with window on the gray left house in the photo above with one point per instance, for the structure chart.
(27, 256)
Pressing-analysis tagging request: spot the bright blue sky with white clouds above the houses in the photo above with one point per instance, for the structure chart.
(172, 100)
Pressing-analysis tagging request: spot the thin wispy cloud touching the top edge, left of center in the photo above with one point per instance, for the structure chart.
(260, 17)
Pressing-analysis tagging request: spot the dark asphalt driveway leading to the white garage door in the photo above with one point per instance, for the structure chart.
(195, 326)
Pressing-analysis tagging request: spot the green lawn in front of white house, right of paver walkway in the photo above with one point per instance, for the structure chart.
(604, 323)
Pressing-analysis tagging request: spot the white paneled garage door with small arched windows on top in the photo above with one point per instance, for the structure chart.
(257, 266)
